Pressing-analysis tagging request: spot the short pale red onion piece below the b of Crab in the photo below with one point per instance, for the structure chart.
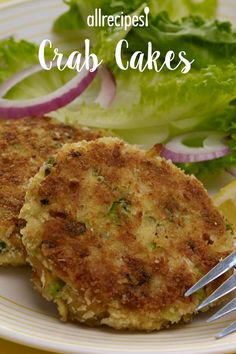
(108, 87)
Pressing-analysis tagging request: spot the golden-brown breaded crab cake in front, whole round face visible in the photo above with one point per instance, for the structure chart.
(115, 237)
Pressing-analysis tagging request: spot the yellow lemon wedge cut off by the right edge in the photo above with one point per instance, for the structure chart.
(225, 201)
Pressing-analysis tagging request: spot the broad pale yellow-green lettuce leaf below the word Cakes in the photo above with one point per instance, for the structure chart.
(148, 100)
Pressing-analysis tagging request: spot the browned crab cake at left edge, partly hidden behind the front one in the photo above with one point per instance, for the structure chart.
(24, 146)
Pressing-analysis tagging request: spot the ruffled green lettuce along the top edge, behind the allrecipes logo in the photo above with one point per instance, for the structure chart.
(206, 41)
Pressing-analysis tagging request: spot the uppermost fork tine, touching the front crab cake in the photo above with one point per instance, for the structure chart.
(221, 268)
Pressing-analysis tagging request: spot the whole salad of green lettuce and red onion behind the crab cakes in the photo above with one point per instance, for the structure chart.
(192, 116)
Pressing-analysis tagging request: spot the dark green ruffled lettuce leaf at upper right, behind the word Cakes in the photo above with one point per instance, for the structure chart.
(206, 41)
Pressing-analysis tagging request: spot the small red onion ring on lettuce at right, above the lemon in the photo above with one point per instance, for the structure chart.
(213, 148)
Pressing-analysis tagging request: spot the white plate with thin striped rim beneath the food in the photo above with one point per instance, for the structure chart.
(25, 317)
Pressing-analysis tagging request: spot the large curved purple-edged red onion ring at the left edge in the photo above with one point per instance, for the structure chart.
(15, 109)
